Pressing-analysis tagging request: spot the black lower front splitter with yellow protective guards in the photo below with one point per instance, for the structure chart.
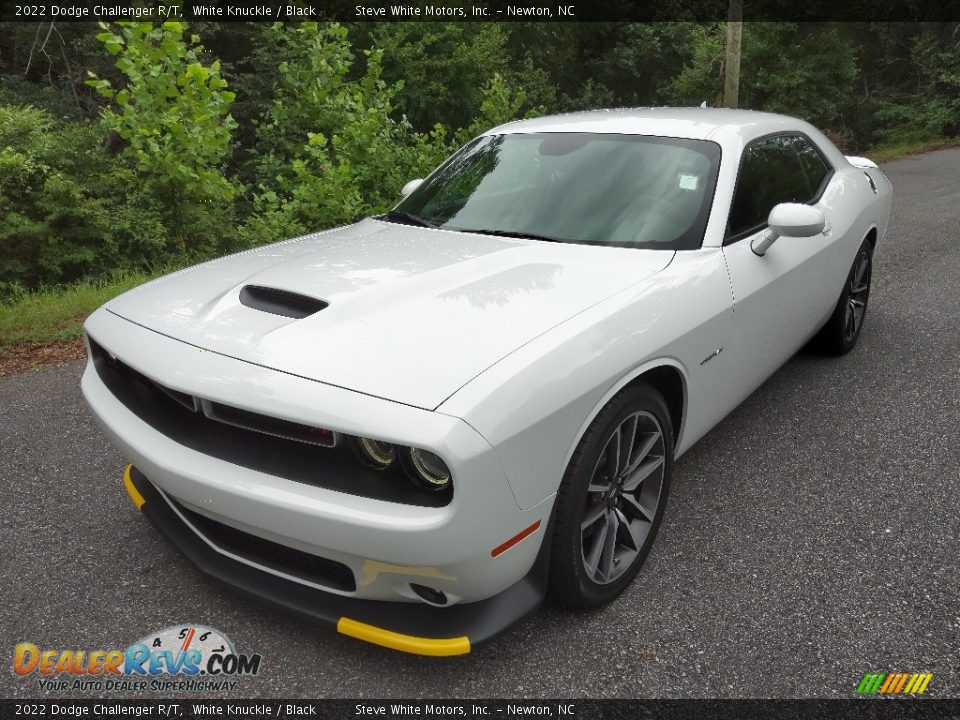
(408, 627)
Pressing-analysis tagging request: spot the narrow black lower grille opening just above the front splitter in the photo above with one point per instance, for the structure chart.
(275, 556)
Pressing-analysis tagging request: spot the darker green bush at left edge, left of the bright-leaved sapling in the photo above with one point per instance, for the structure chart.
(66, 209)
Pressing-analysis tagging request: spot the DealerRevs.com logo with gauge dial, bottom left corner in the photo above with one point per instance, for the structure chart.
(187, 657)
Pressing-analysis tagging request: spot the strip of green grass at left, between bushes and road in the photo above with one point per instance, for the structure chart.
(56, 314)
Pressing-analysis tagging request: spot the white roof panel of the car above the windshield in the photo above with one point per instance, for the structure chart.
(695, 123)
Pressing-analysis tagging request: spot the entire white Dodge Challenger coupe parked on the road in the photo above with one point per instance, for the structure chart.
(418, 426)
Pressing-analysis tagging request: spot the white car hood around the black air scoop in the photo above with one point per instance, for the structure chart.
(413, 314)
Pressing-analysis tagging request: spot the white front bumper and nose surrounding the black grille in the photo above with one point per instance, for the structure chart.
(377, 550)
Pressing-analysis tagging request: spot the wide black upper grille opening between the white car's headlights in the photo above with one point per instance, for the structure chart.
(271, 448)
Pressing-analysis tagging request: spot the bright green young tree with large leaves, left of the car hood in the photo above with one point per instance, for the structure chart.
(173, 118)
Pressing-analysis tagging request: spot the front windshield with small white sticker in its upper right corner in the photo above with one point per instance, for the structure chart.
(622, 190)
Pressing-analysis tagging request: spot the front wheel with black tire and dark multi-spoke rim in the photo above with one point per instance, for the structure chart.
(571, 583)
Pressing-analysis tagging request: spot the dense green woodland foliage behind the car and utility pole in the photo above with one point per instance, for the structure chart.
(135, 146)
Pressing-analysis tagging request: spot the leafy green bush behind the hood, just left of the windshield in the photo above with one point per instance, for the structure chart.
(333, 151)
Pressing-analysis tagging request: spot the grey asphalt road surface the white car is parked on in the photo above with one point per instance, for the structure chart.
(811, 537)
